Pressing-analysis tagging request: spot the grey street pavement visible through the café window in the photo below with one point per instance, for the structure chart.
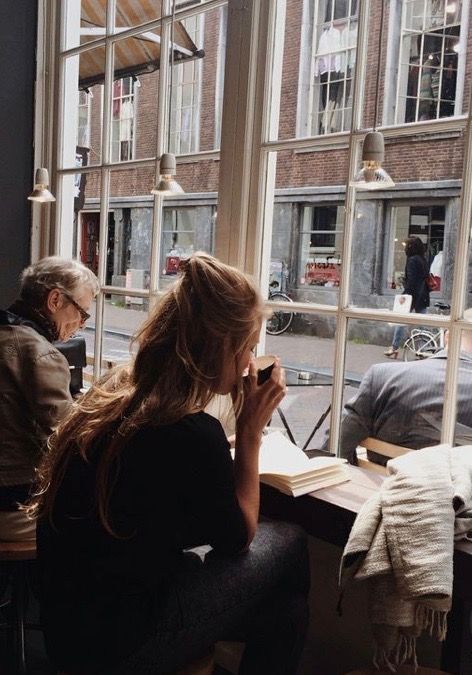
(302, 406)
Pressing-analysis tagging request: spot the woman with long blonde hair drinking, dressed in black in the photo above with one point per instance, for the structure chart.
(138, 473)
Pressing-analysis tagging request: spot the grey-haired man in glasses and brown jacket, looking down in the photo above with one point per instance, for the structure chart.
(55, 298)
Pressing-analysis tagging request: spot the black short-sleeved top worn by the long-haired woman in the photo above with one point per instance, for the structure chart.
(101, 595)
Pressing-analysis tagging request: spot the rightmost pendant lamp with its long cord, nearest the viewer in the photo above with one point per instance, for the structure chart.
(372, 176)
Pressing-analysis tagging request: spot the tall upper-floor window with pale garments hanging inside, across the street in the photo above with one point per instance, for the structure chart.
(327, 72)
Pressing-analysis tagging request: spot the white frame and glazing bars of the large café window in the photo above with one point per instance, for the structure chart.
(247, 178)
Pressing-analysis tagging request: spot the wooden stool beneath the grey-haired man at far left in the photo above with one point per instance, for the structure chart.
(14, 557)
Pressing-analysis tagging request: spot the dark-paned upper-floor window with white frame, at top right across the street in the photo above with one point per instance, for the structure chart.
(429, 57)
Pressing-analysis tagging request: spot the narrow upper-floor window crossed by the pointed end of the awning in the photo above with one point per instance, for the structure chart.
(186, 86)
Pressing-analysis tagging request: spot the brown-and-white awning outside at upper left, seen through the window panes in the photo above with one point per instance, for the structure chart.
(133, 56)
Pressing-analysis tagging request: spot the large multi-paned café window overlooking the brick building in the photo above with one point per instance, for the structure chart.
(287, 210)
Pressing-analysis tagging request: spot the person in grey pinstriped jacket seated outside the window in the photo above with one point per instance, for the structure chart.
(402, 403)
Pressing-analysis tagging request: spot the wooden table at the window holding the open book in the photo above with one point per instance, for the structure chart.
(329, 514)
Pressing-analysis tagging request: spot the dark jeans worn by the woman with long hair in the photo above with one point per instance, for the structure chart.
(258, 597)
